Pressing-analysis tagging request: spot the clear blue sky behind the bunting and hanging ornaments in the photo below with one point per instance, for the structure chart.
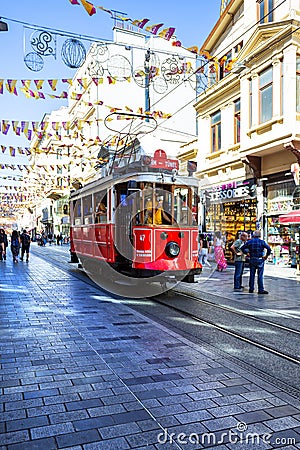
(193, 21)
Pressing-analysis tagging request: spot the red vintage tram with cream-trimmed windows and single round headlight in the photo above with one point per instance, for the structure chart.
(138, 223)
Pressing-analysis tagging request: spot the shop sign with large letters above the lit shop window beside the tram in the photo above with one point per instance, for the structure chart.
(233, 190)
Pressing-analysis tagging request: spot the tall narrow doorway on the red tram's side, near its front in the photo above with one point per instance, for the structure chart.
(123, 223)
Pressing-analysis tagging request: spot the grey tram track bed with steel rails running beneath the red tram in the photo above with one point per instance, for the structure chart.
(197, 320)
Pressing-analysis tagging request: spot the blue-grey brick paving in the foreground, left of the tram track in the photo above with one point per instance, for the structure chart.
(82, 370)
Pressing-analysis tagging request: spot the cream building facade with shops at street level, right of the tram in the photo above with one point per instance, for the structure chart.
(248, 150)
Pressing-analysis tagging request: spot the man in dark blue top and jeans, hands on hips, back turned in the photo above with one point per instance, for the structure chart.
(258, 251)
